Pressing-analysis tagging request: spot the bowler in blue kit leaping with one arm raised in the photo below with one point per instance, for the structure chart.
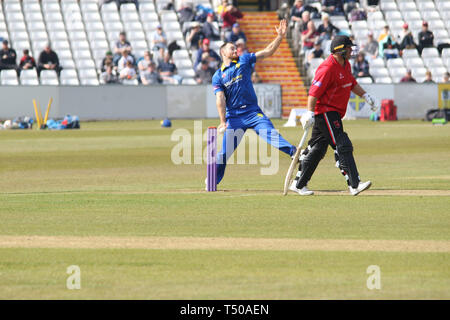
(237, 103)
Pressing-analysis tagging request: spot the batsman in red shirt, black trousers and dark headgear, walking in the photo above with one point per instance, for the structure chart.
(327, 104)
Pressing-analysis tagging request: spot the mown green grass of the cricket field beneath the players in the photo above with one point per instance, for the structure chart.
(117, 179)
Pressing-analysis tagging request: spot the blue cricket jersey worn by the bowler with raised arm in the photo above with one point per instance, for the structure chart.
(236, 81)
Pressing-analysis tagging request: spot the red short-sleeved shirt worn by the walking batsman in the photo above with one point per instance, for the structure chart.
(332, 86)
